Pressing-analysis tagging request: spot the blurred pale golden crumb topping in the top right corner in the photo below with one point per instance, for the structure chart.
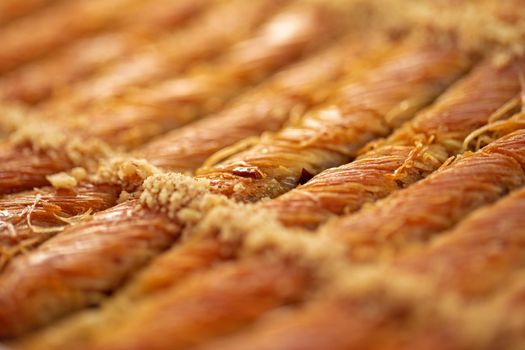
(475, 25)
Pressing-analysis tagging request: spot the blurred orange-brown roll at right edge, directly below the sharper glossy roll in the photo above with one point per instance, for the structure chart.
(480, 254)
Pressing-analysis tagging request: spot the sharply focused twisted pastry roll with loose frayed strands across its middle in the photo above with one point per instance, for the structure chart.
(411, 153)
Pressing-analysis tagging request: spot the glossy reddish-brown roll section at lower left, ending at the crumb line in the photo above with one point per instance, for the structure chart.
(84, 263)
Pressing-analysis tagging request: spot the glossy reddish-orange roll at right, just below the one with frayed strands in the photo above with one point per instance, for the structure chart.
(435, 203)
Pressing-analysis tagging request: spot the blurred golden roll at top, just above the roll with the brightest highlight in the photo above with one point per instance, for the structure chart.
(168, 56)
